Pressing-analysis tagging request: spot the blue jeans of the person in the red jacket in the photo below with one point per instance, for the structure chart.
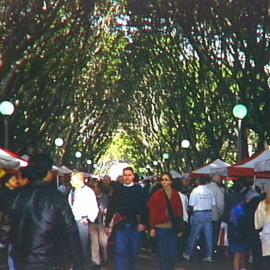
(167, 248)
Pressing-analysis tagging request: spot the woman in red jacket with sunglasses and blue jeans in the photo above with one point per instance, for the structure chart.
(165, 206)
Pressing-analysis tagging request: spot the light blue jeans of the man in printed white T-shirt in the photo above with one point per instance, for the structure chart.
(201, 221)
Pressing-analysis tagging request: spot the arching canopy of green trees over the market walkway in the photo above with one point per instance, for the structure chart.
(161, 71)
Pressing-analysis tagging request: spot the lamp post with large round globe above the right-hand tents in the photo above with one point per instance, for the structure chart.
(240, 112)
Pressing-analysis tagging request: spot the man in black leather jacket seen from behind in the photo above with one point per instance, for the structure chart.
(44, 234)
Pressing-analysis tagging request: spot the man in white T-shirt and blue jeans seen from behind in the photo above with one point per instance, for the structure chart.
(201, 201)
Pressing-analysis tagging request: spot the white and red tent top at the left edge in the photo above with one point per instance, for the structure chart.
(10, 160)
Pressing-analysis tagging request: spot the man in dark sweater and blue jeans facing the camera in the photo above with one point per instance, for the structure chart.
(129, 203)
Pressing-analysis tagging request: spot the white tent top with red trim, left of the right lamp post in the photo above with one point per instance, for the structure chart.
(210, 168)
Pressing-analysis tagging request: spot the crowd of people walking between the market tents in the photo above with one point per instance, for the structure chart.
(72, 226)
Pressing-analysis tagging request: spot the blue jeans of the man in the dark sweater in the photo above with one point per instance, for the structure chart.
(127, 246)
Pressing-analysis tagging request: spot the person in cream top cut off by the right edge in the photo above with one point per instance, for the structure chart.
(262, 221)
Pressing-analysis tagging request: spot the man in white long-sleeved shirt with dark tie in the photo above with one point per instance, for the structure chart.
(84, 206)
